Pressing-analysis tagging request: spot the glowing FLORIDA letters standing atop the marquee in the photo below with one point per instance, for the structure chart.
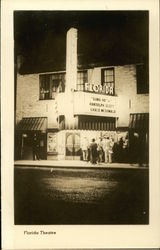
(107, 88)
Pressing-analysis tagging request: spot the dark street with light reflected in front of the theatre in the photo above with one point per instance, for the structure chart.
(44, 196)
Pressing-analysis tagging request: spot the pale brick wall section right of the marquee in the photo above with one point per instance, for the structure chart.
(128, 100)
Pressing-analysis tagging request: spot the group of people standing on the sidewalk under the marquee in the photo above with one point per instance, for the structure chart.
(105, 150)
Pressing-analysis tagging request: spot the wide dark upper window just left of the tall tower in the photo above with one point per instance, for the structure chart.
(51, 84)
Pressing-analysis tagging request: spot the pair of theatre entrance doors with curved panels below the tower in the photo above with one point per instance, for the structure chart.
(73, 150)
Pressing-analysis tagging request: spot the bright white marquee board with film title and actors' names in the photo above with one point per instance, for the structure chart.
(94, 104)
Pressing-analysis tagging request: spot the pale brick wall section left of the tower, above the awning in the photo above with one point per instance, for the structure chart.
(28, 103)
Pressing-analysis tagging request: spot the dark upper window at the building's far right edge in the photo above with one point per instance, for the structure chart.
(142, 79)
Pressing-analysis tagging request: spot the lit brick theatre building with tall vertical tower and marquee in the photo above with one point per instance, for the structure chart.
(64, 107)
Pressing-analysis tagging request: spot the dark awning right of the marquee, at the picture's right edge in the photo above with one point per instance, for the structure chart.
(139, 121)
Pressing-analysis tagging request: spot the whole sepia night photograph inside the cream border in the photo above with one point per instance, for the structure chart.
(81, 117)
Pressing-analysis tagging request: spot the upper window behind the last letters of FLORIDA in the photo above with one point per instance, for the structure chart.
(108, 80)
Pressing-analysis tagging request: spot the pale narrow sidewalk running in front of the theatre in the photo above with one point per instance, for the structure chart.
(74, 164)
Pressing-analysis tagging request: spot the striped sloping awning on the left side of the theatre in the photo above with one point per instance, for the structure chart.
(33, 124)
